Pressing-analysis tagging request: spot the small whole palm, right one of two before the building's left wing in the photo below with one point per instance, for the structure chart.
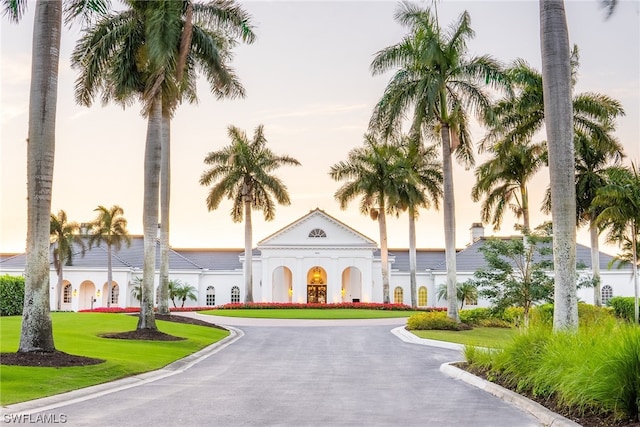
(110, 227)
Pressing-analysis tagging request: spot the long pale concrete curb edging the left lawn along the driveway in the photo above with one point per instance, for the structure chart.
(74, 396)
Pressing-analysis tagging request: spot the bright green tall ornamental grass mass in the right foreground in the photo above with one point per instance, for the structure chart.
(596, 369)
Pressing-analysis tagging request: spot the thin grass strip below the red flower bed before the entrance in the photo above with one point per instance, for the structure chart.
(310, 313)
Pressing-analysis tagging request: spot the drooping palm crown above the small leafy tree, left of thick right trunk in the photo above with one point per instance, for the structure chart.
(502, 180)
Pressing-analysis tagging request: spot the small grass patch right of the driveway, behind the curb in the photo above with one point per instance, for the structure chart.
(482, 337)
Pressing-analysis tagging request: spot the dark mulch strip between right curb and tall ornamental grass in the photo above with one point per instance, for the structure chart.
(586, 419)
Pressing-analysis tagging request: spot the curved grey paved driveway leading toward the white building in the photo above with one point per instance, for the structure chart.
(336, 373)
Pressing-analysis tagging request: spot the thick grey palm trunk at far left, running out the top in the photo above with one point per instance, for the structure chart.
(36, 333)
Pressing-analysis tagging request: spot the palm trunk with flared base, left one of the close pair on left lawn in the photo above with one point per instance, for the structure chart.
(150, 212)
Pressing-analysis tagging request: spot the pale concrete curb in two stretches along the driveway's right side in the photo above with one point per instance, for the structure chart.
(542, 414)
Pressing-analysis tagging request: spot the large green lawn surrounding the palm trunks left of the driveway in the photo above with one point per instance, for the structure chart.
(77, 333)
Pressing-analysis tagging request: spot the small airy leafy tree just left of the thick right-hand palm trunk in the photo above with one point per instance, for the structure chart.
(517, 272)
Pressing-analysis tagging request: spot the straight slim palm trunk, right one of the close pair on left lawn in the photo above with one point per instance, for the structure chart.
(165, 191)
